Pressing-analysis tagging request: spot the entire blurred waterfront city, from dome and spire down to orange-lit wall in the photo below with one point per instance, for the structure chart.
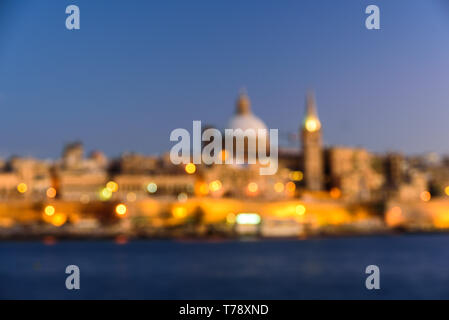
(314, 189)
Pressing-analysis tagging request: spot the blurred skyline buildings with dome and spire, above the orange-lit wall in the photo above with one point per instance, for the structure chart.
(312, 170)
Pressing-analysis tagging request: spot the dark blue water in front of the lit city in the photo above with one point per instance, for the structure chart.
(320, 268)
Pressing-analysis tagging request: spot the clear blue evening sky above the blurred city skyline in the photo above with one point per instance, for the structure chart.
(138, 69)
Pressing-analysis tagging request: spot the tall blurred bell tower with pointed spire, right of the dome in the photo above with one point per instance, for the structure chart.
(311, 138)
